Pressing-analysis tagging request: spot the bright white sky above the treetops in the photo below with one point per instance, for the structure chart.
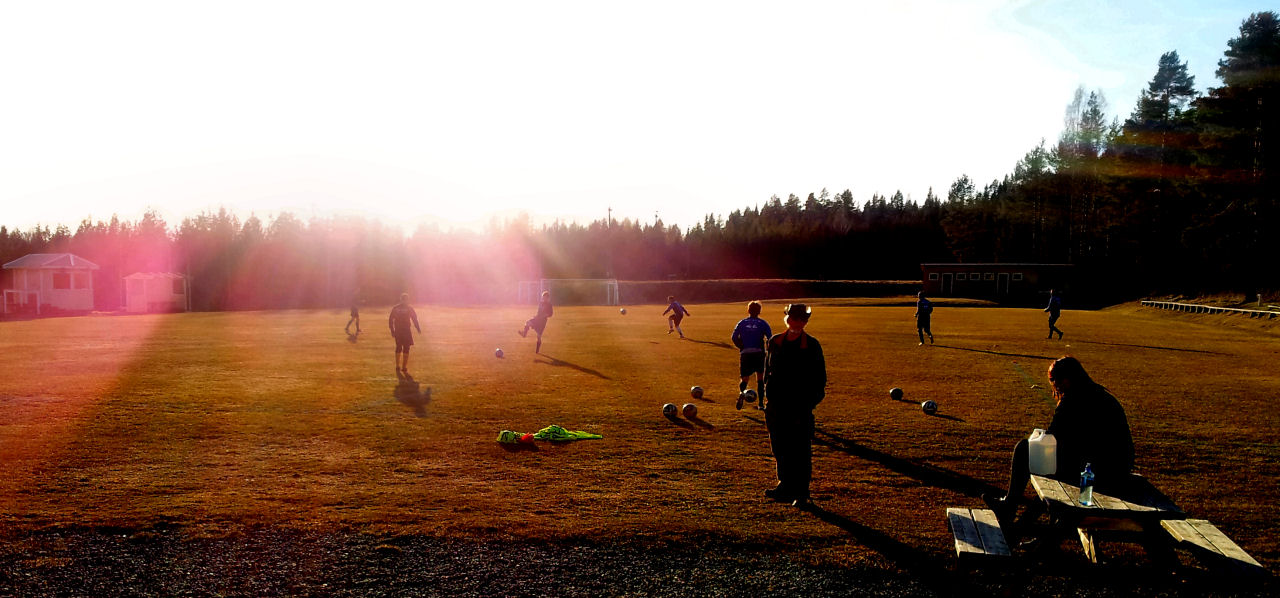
(451, 112)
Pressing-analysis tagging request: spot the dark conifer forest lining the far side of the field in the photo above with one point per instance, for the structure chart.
(1181, 195)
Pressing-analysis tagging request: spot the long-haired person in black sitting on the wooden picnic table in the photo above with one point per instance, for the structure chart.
(1091, 430)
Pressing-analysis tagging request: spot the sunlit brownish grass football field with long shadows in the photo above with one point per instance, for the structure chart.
(217, 422)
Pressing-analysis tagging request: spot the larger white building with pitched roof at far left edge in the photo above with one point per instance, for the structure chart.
(38, 282)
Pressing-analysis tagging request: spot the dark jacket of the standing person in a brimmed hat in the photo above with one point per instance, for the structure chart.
(796, 375)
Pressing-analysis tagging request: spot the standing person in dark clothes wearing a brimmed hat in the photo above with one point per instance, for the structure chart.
(796, 380)
